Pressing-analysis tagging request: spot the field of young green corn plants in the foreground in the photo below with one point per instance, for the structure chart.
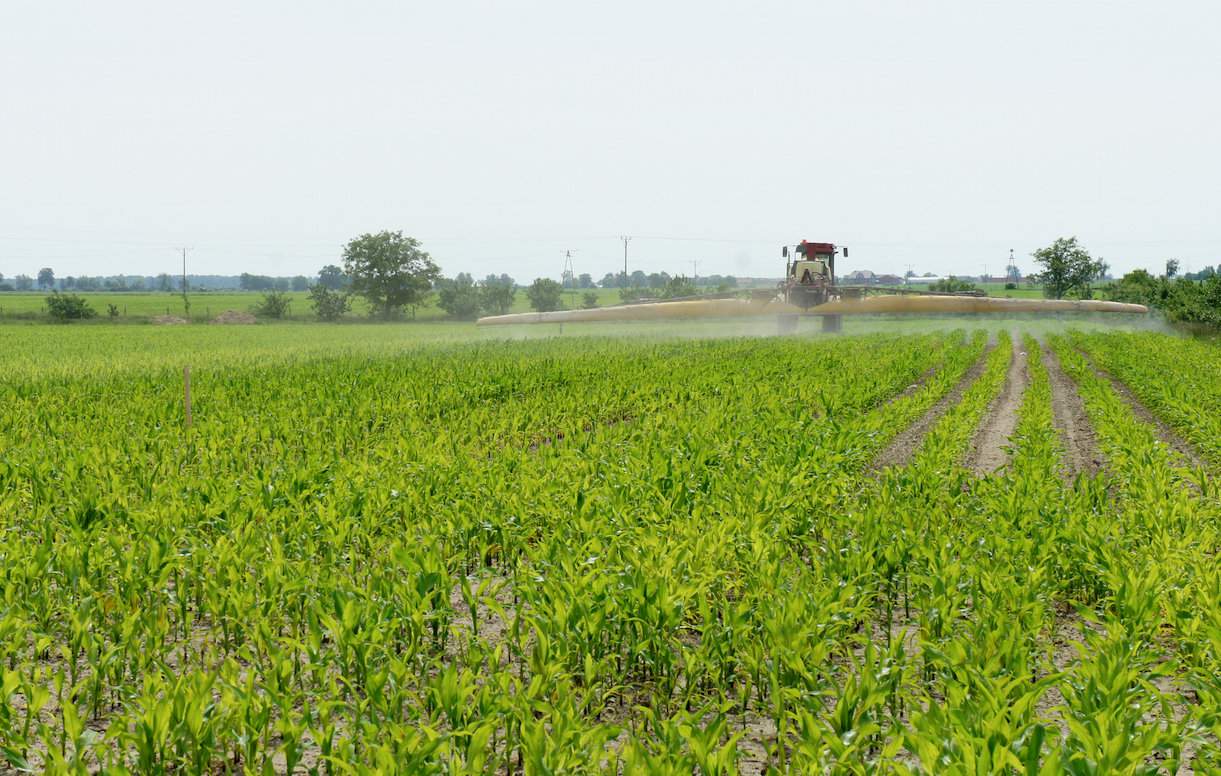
(614, 556)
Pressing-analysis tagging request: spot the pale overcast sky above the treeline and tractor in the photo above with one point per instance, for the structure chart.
(264, 135)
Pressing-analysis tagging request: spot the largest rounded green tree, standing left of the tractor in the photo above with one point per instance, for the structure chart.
(390, 271)
